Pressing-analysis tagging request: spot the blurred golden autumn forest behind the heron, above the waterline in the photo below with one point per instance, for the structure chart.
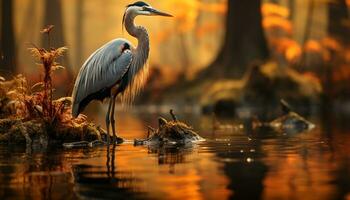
(215, 55)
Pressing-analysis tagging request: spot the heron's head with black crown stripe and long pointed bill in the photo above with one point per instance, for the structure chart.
(142, 8)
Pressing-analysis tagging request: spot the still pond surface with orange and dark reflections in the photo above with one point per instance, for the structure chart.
(228, 165)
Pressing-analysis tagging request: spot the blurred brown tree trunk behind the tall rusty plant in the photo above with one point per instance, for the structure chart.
(53, 16)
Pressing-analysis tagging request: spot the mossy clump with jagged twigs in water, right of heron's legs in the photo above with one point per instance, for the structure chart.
(170, 132)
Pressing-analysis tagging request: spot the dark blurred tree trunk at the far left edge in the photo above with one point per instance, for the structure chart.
(7, 41)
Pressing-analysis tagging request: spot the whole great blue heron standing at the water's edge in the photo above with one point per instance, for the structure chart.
(115, 68)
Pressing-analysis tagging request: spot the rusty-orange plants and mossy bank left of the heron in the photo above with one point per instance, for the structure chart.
(29, 113)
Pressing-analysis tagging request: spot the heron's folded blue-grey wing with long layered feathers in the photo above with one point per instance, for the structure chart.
(104, 68)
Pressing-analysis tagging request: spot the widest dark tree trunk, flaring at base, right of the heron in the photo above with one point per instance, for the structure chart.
(244, 41)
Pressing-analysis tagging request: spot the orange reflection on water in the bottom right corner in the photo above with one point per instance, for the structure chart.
(307, 171)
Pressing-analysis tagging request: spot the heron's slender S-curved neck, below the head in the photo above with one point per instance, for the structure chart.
(140, 33)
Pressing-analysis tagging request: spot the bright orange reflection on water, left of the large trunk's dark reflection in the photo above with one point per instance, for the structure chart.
(176, 175)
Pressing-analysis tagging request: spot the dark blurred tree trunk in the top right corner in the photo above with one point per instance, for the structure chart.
(337, 16)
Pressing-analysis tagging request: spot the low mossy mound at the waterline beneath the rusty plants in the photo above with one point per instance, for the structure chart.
(33, 132)
